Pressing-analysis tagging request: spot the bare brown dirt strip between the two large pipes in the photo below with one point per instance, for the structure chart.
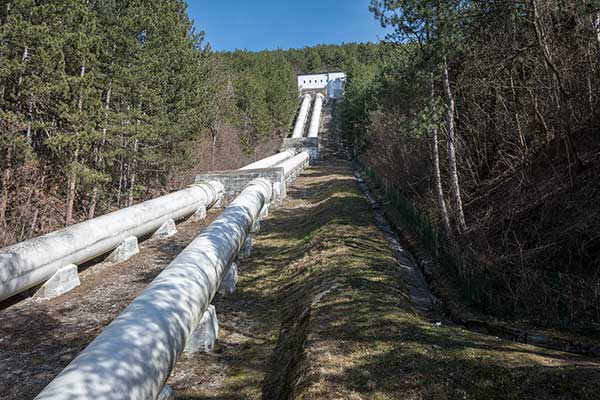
(39, 338)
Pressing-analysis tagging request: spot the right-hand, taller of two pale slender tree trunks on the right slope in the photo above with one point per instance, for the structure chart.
(454, 182)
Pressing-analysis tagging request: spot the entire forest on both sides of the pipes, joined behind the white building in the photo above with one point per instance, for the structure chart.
(479, 118)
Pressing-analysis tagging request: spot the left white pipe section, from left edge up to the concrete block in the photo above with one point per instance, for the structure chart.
(32, 262)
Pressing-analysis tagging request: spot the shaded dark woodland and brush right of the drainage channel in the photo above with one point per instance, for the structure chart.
(482, 124)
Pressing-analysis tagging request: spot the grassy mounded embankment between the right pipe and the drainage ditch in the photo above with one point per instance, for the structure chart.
(323, 311)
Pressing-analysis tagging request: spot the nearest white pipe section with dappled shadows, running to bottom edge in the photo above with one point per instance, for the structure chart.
(133, 357)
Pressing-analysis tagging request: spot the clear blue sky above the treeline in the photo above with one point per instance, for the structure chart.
(271, 24)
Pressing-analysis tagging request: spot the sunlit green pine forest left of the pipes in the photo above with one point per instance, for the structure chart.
(106, 103)
